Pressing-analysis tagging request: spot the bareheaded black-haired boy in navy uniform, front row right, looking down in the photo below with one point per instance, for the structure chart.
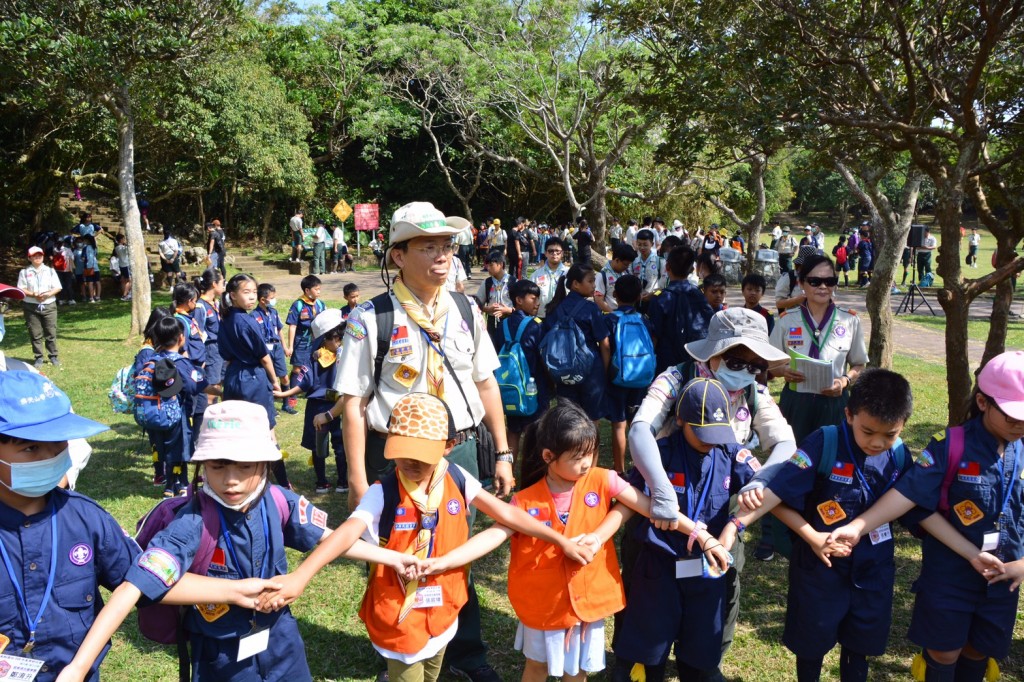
(846, 599)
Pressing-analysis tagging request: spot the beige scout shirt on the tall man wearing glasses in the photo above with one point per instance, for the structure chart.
(405, 368)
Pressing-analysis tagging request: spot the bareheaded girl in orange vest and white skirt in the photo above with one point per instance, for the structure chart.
(563, 606)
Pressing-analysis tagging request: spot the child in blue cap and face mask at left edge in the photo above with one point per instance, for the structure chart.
(57, 547)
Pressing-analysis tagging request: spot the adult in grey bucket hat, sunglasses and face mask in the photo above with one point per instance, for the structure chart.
(738, 354)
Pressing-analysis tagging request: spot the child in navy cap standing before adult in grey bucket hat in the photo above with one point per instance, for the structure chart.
(675, 595)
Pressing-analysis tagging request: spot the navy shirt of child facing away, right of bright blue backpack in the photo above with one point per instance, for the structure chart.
(679, 314)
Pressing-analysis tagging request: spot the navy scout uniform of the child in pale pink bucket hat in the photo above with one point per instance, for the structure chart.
(252, 547)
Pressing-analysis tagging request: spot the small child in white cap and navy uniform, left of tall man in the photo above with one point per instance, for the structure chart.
(317, 381)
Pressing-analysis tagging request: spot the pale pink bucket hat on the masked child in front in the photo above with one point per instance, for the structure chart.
(236, 431)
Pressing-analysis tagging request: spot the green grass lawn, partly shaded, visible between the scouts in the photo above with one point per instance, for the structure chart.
(94, 348)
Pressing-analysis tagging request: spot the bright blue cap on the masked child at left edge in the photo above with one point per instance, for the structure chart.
(34, 409)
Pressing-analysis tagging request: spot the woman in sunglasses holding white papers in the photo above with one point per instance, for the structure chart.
(827, 350)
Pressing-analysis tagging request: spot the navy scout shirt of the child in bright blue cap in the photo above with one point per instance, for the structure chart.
(91, 550)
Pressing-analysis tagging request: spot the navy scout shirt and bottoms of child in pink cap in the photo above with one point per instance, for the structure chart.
(954, 603)
